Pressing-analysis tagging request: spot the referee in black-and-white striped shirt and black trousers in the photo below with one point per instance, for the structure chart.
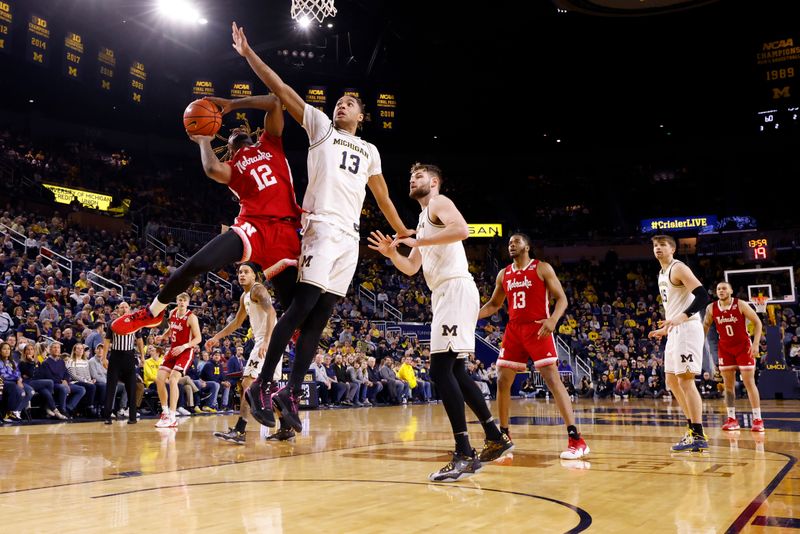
(121, 366)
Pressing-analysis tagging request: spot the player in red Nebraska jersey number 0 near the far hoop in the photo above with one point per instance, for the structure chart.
(729, 315)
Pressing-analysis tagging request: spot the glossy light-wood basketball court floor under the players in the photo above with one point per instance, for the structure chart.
(365, 470)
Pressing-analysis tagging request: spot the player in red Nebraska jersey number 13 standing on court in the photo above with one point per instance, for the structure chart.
(528, 284)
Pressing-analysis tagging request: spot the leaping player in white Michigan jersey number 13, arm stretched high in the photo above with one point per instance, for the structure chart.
(341, 166)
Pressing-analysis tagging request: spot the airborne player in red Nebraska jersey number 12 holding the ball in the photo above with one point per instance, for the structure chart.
(266, 229)
